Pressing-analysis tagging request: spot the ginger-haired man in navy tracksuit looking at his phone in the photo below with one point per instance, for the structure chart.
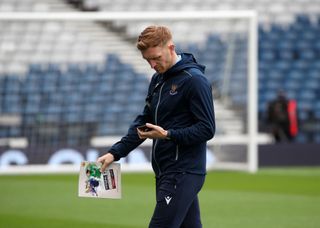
(179, 117)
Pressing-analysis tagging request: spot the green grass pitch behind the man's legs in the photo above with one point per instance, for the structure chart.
(272, 198)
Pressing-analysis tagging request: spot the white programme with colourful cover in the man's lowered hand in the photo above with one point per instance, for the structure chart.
(93, 183)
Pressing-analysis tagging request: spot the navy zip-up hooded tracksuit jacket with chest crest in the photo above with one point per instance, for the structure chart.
(180, 101)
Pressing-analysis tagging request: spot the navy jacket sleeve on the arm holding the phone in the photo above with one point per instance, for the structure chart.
(199, 95)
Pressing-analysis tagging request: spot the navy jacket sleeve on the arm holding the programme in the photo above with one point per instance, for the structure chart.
(131, 140)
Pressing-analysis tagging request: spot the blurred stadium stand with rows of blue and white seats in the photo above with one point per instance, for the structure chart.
(47, 79)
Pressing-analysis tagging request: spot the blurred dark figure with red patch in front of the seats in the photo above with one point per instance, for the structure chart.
(283, 118)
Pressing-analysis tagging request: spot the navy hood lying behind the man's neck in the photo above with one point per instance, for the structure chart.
(187, 61)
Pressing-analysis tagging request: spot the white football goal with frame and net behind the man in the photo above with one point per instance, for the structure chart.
(71, 84)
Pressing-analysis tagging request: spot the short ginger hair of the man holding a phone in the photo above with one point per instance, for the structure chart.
(153, 36)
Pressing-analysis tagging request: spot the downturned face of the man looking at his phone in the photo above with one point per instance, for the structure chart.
(160, 58)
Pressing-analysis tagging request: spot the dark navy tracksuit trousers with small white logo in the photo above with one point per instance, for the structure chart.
(177, 201)
